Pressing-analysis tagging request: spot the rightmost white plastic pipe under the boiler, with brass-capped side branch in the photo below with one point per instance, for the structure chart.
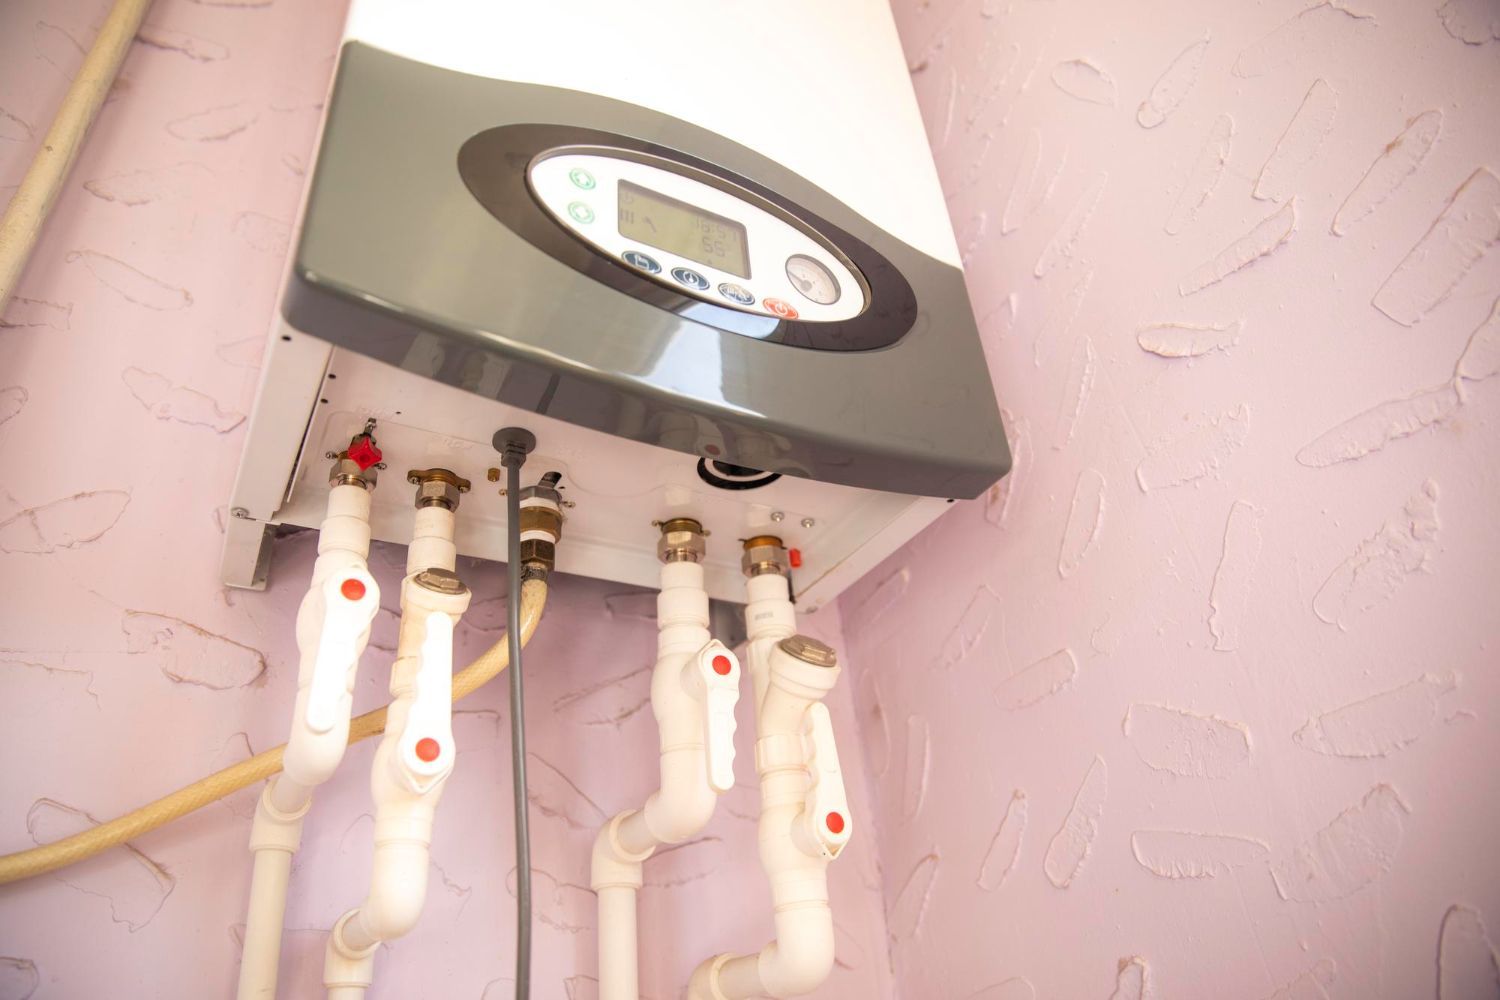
(794, 848)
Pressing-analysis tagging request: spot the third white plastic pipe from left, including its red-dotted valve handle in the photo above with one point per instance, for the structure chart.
(694, 690)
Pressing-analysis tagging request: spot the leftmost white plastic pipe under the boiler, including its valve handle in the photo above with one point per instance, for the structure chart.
(334, 626)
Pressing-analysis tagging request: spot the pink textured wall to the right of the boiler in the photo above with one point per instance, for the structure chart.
(1205, 695)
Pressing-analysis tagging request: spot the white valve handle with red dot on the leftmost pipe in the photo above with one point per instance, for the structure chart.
(350, 602)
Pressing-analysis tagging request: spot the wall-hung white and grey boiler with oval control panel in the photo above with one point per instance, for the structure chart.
(700, 250)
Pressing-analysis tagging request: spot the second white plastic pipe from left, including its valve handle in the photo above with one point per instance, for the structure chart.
(412, 765)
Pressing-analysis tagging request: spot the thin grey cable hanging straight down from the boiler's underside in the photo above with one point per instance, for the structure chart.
(514, 461)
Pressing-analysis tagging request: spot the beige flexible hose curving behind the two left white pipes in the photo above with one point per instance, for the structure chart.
(263, 765)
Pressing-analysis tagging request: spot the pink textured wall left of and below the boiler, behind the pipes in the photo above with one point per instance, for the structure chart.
(127, 370)
